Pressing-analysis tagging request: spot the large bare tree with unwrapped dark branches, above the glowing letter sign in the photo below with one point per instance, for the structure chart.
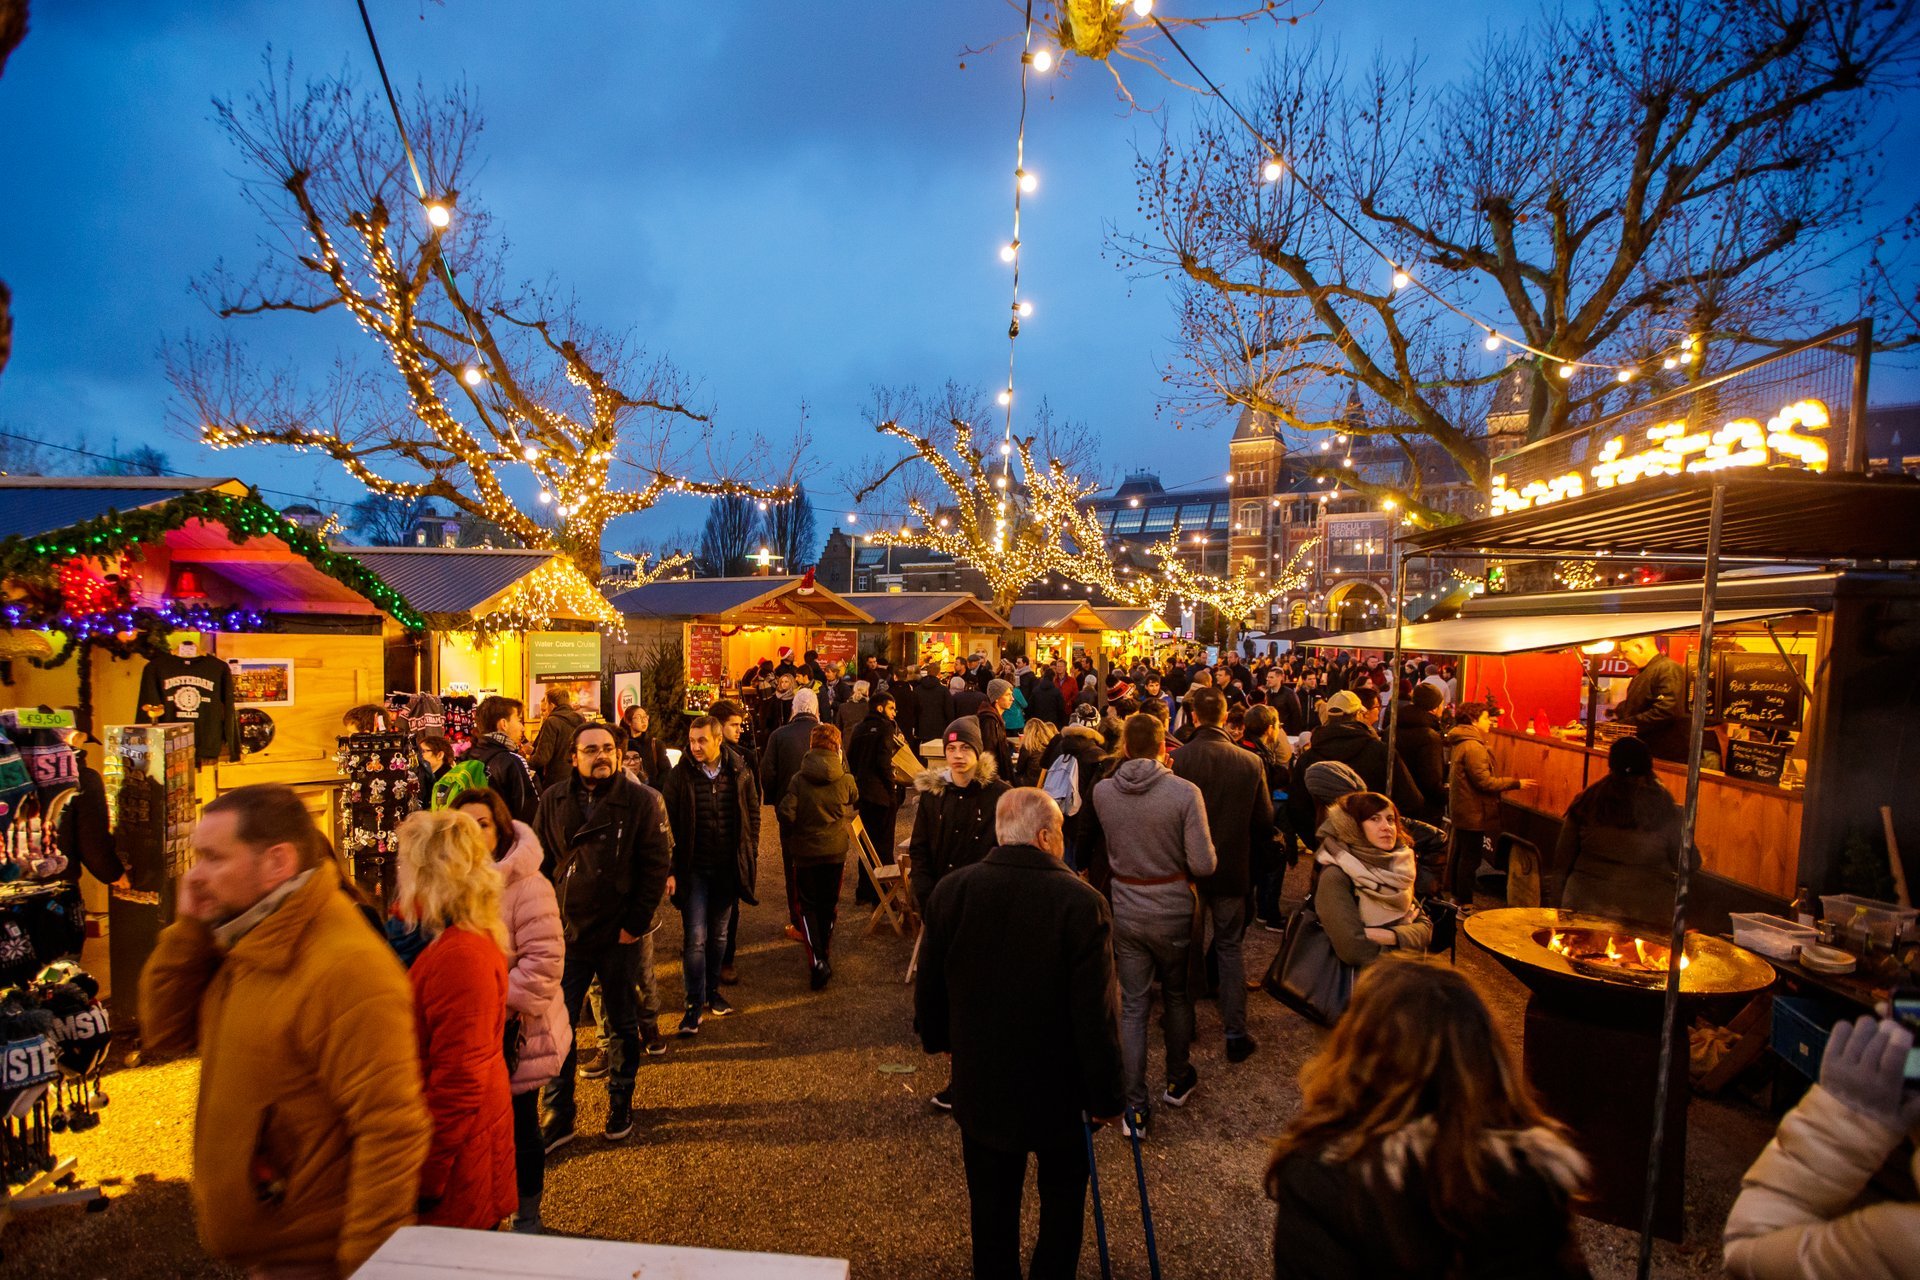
(1600, 187)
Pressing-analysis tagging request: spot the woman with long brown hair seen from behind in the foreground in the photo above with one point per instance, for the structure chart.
(1420, 1152)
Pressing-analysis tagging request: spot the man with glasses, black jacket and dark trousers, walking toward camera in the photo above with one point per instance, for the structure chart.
(610, 853)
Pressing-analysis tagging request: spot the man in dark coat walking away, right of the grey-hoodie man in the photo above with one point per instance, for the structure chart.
(1239, 817)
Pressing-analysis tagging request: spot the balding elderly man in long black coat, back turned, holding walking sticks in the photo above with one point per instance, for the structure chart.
(1017, 982)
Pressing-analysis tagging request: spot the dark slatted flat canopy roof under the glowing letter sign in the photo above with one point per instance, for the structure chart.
(1769, 517)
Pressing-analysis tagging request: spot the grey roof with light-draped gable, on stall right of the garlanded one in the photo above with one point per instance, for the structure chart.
(454, 586)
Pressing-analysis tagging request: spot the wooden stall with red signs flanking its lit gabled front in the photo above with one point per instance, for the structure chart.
(725, 627)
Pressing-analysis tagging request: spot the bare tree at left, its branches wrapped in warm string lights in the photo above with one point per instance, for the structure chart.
(477, 379)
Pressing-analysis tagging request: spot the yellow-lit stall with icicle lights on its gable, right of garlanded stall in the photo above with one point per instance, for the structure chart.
(500, 621)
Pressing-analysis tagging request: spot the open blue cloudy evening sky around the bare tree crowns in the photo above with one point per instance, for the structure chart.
(796, 202)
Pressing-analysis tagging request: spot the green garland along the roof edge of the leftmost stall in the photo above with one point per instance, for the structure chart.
(243, 519)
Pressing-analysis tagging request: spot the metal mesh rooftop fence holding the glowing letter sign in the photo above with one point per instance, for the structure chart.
(1798, 408)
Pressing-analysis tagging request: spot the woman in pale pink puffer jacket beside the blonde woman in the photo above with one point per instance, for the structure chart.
(537, 953)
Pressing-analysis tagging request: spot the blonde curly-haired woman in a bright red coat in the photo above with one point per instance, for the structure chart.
(450, 891)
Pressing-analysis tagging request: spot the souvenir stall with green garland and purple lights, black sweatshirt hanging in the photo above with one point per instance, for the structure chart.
(201, 644)
